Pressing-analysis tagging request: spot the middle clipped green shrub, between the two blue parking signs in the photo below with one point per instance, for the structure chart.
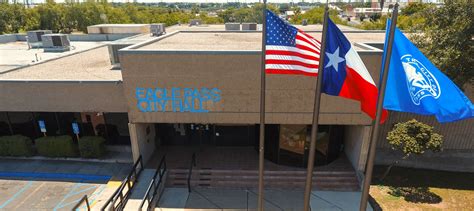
(56, 146)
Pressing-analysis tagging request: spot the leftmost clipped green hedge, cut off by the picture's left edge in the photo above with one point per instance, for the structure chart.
(16, 145)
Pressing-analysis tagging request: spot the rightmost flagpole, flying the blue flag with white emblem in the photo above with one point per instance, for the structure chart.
(375, 133)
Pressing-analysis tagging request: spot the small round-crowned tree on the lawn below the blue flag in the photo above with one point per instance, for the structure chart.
(413, 138)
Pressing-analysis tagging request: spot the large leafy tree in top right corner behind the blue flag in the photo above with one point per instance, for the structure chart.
(447, 39)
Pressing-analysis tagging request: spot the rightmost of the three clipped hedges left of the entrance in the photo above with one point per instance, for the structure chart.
(92, 146)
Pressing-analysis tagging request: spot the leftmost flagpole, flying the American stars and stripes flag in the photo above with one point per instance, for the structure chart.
(261, 150)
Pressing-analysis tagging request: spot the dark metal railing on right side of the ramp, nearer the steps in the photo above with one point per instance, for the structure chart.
(152, 192)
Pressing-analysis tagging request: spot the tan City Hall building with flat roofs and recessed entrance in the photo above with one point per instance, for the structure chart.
(193, 87)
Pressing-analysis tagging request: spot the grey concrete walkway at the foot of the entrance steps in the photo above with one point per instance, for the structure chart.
(246, 199)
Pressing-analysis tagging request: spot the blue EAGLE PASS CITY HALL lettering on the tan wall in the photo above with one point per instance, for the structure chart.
(175, 99)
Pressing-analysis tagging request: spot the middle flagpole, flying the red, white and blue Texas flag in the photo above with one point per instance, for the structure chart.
(314, 128)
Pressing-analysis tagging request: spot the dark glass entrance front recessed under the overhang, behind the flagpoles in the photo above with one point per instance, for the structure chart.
(286, 145)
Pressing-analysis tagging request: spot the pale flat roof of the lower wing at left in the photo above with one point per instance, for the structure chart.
(87, 61)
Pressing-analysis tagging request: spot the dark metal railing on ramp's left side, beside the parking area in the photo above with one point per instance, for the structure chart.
(118, 200)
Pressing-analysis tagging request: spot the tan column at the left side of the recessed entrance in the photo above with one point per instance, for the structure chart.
(142, 137)
